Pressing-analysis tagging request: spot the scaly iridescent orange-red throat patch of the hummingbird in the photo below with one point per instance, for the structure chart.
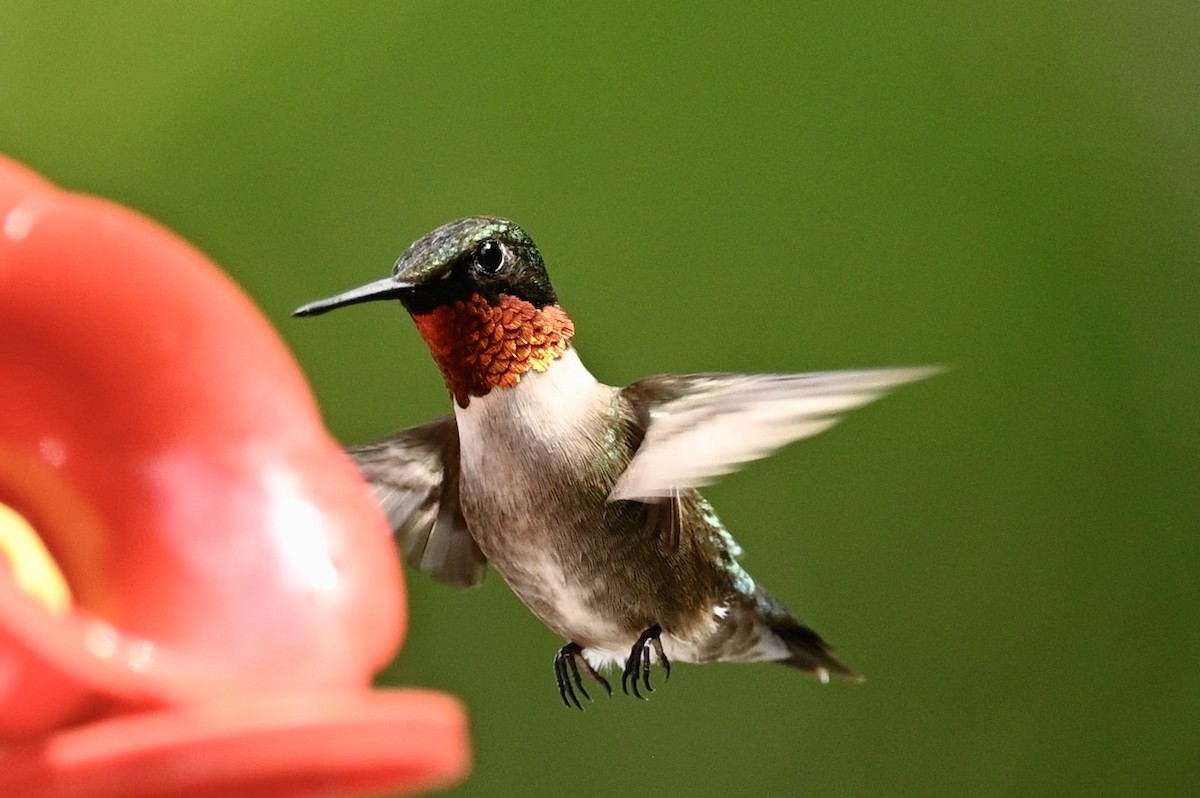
(481, 346)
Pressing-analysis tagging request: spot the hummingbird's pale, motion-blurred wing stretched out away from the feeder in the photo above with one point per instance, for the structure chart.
(700, 427)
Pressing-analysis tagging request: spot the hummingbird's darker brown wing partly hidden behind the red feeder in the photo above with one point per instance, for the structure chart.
(416, 479)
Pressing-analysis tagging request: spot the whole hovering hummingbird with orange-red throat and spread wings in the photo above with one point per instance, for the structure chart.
(585, 496)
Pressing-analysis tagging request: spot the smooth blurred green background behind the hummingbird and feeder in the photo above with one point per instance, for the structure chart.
(1009, 551)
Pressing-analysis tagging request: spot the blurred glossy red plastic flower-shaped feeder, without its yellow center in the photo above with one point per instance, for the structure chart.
(235, 587)
